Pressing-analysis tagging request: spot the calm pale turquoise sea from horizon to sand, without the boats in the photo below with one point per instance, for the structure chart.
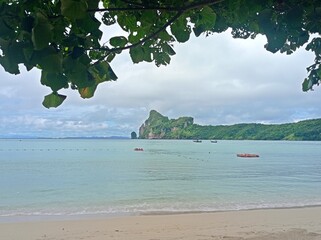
(76, 178)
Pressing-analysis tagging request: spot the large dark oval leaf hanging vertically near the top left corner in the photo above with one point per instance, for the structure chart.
(41, 32)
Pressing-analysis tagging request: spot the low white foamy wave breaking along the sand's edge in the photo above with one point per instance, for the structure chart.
(143, 209)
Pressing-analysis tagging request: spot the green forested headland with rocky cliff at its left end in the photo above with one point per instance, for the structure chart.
(158, 126)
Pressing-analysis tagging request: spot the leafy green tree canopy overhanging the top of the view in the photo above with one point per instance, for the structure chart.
(63, 39)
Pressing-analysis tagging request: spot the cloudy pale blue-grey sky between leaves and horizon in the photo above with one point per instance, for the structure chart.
(217, 80)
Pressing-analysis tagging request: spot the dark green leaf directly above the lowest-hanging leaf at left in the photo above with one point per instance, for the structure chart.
(55, 81)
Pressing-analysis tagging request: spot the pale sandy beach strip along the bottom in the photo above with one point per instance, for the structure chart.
(270, 224)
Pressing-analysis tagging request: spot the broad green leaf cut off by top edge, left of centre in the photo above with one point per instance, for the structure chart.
(74, 9)
